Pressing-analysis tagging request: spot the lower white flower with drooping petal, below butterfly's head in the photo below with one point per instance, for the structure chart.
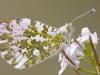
(72, 51)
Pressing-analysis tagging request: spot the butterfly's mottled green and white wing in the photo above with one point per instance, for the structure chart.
(23, 44)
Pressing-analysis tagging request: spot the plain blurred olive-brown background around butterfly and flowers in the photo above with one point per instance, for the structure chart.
(55, 13)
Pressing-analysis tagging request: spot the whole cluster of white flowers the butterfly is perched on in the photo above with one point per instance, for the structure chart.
(76, 50)
